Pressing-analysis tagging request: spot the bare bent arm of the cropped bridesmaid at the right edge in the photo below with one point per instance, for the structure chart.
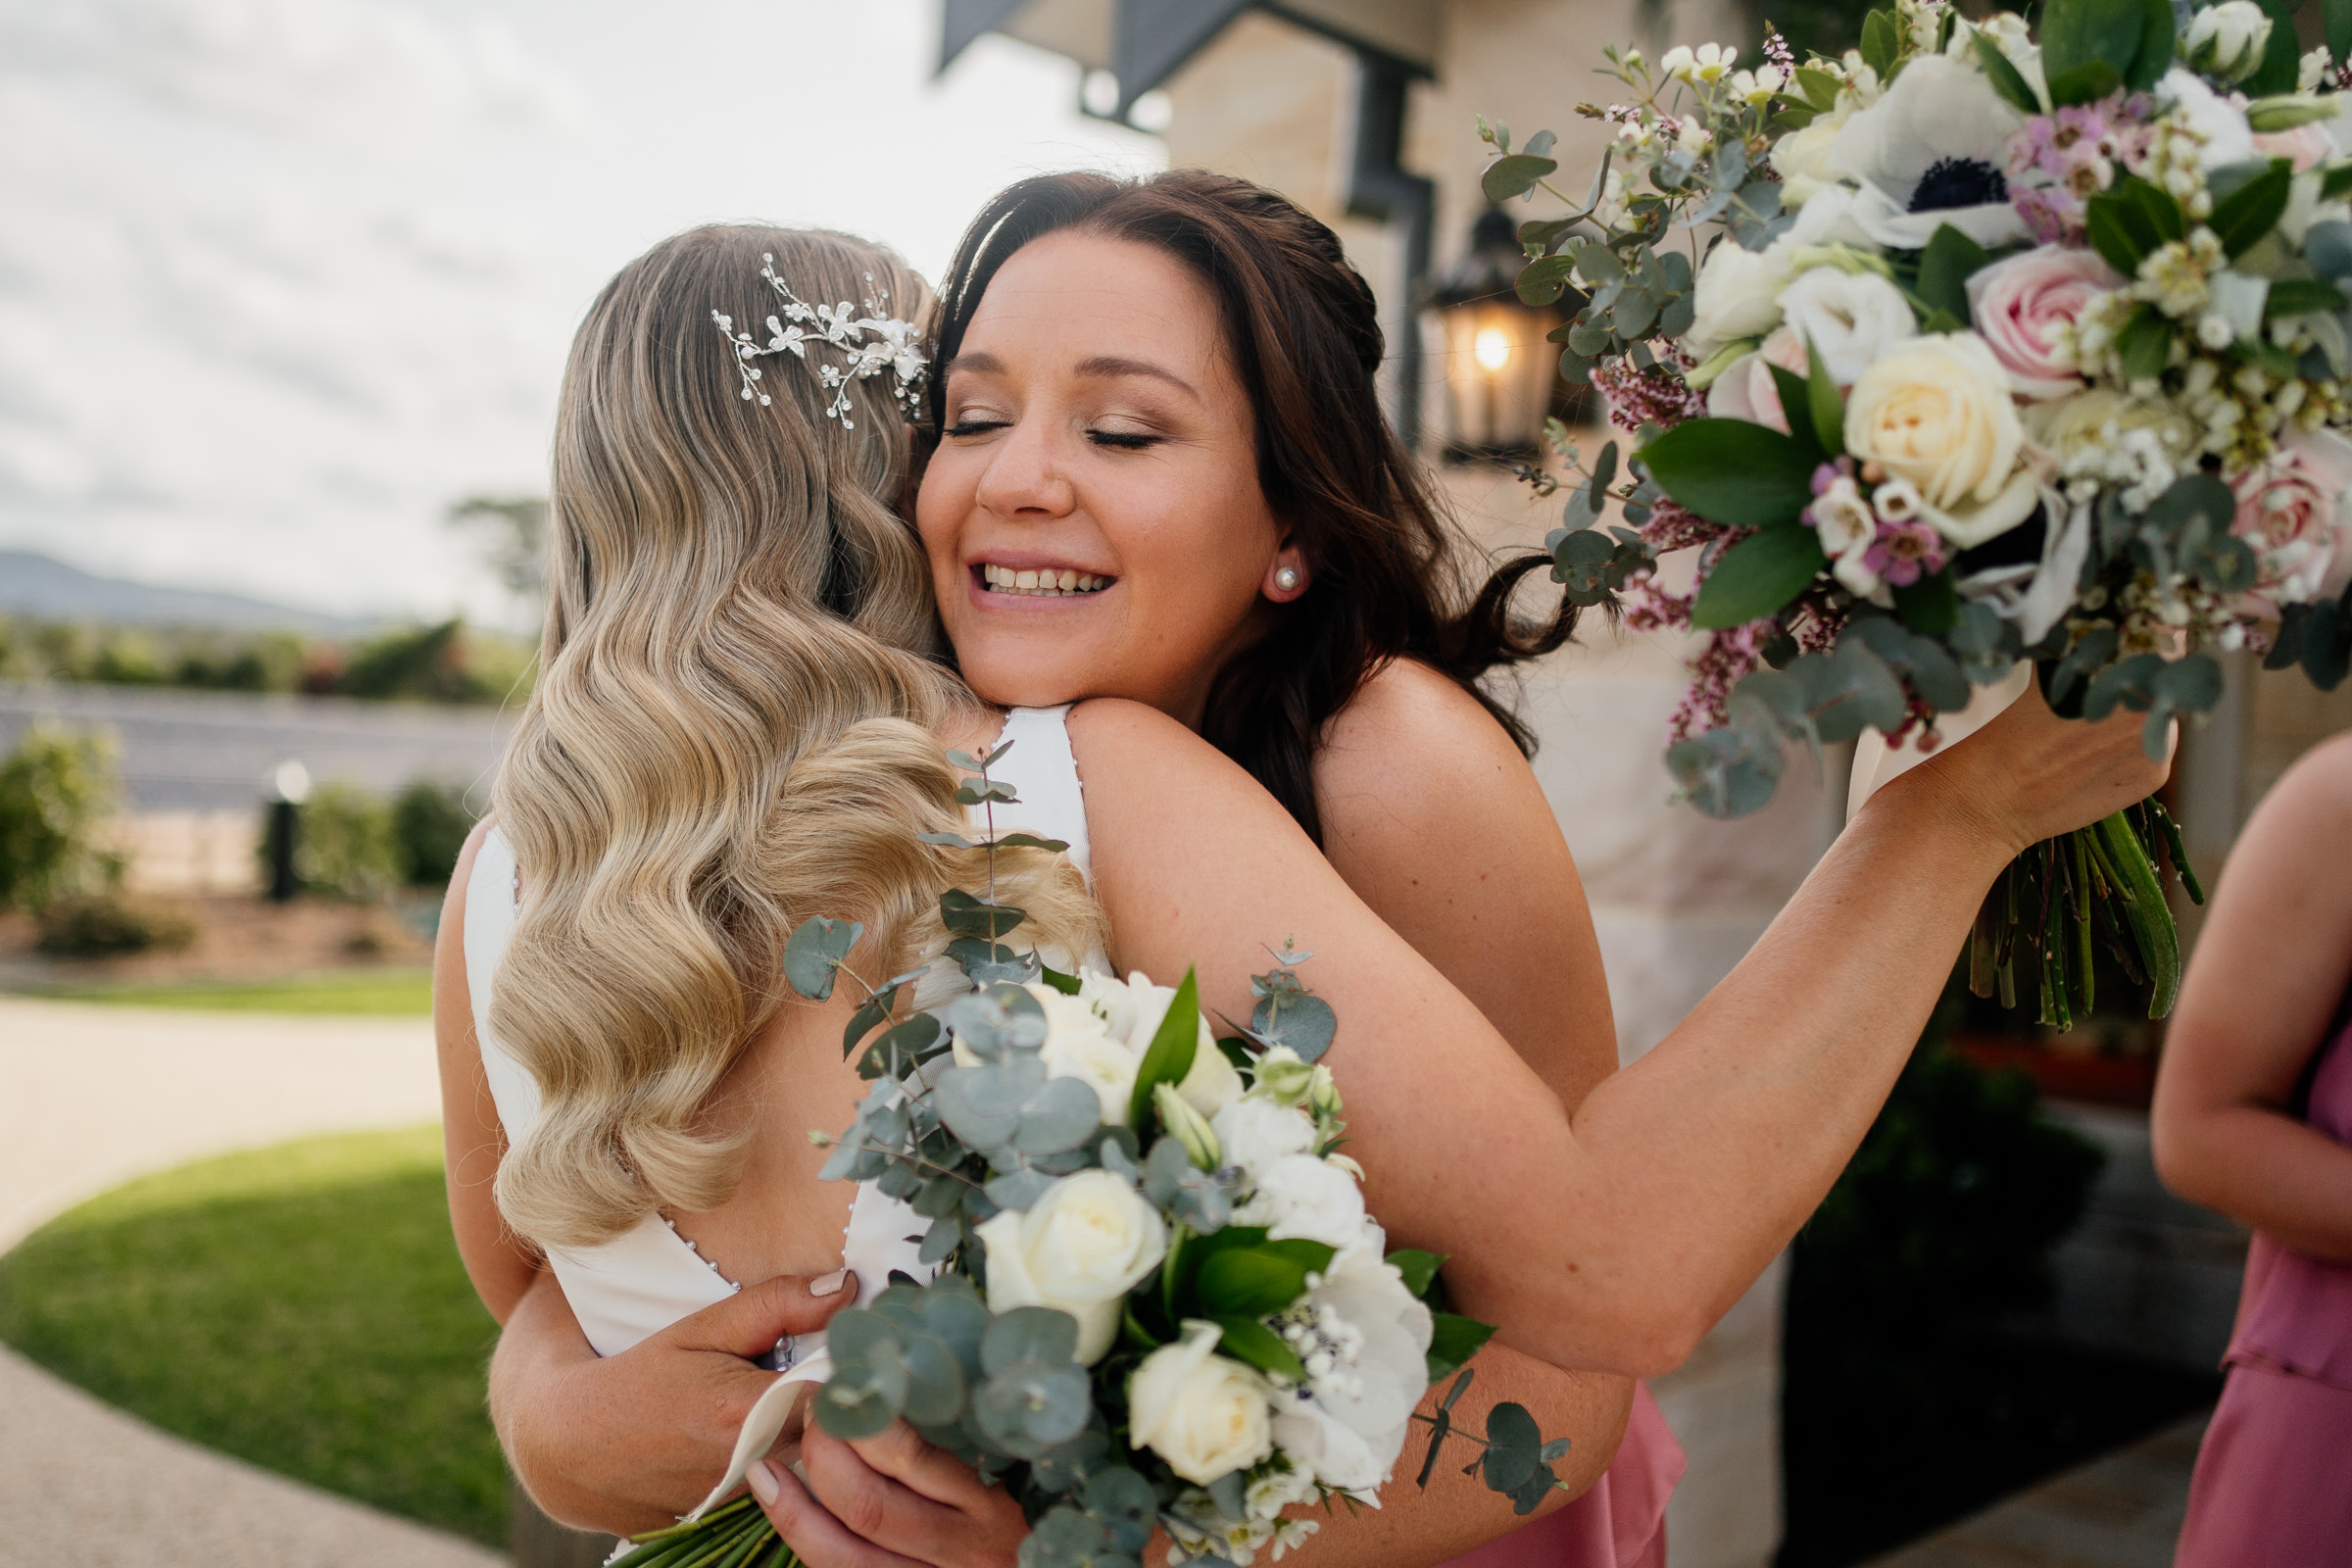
(2264, 986)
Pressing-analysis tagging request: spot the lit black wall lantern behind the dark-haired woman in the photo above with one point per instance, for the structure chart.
(1502, 373)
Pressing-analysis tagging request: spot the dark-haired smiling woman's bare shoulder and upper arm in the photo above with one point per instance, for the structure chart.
(1436, 822)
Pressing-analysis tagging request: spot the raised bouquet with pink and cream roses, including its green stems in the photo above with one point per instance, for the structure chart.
(1972, 344)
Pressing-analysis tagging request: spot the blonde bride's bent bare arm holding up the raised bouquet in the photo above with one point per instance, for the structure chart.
(1608, 1242)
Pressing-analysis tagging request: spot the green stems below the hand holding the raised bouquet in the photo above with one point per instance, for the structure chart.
(2059, 894)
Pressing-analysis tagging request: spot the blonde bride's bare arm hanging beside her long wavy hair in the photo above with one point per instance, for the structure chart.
(497, 1261)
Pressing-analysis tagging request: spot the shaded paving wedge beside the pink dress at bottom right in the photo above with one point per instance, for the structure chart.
(2116, 1513)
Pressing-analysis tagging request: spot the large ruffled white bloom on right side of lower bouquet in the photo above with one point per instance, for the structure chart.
(1354, 1421)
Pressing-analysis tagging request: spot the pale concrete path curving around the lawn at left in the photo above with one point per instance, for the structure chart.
(93, 1097)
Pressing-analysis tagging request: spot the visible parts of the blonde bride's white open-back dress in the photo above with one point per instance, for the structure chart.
(648, 1278)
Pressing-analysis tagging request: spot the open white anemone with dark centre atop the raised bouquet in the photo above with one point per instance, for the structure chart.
(1930, 154)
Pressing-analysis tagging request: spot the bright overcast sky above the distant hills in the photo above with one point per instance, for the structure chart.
(283, 279)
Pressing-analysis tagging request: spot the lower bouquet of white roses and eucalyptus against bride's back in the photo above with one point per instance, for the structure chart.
(1161, 1299)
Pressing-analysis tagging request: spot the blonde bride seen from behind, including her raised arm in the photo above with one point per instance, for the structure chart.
(730, 735)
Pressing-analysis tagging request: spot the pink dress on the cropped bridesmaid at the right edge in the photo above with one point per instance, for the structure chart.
(2276, 1473)
